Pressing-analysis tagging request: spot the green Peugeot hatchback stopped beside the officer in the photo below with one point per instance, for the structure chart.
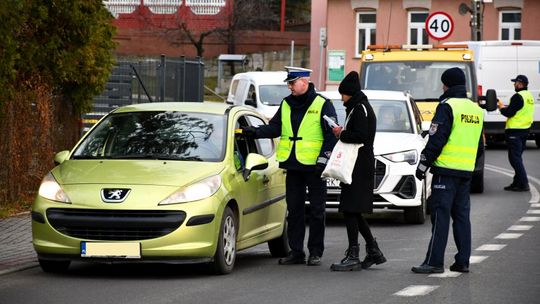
(162, 182)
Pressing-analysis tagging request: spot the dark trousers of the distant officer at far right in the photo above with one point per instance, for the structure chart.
(516, 145)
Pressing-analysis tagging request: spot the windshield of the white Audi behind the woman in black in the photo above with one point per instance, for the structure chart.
(392, 115)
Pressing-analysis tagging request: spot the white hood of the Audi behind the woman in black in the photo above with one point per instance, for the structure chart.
(386, 143)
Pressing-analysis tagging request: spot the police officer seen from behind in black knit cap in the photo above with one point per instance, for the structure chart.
(452, 149)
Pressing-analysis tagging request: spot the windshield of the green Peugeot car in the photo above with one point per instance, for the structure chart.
(156, 135)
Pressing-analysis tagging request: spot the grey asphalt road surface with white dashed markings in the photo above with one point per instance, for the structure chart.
(505, 269)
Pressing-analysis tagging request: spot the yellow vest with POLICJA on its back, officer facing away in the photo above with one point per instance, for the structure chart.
(460, 150)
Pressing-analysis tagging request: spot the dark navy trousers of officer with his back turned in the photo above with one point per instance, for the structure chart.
(449, 199)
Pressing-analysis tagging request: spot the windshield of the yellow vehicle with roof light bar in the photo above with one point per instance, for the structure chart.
(420, 78)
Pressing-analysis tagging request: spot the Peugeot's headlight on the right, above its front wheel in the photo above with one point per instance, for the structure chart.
(200, 190)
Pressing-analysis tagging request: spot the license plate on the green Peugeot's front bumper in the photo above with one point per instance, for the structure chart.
(110, 250)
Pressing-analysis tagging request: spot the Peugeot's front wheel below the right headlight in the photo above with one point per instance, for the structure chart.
(225, 255)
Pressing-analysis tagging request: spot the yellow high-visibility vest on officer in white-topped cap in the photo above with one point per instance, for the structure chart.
(308, 142)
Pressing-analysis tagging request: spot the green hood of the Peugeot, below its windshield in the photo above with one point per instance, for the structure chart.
(124, 172)
